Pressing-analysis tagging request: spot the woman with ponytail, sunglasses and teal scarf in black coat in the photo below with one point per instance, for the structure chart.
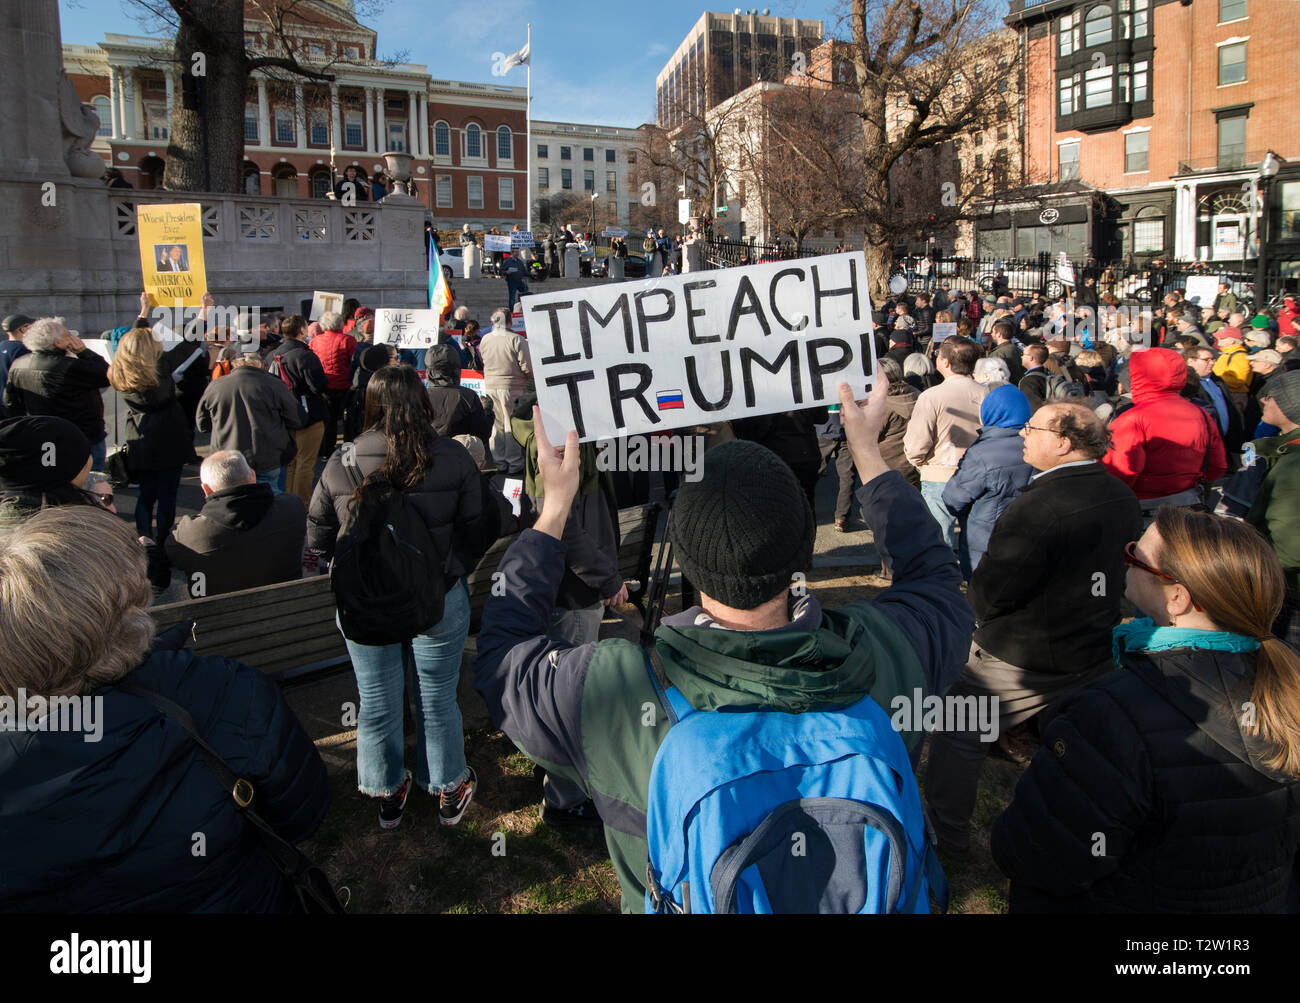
(1172, 785)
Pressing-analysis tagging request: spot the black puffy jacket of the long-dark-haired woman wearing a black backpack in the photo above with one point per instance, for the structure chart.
(449, 500)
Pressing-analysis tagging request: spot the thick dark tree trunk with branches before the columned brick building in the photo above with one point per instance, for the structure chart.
(209, 55)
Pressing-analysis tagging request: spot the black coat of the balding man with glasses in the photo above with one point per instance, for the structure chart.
(1037, 592)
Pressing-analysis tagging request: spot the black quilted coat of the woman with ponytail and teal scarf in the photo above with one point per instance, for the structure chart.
(1152, 758)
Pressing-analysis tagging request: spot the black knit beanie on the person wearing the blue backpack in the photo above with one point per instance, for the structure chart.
(746, 528)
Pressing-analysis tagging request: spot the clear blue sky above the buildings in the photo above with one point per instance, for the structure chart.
(593, 60)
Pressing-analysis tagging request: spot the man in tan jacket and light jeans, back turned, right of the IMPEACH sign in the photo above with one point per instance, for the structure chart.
(943, 427)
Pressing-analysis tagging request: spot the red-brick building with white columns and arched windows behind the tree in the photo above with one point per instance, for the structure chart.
(467, 141)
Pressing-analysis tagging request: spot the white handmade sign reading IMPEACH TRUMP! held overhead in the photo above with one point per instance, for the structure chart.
(690, 350)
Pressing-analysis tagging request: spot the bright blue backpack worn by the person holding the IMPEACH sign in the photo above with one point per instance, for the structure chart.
(774, 813)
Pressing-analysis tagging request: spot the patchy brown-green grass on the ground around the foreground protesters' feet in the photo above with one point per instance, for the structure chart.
(502, 859)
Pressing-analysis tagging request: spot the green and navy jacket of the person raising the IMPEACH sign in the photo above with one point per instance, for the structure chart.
(592, 714)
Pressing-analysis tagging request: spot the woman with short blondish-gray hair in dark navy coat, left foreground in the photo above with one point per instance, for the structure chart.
(109, 805)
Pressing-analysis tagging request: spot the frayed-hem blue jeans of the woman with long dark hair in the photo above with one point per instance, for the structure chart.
(382, 684)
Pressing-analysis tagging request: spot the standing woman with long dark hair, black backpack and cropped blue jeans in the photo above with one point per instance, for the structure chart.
(400, 451)
